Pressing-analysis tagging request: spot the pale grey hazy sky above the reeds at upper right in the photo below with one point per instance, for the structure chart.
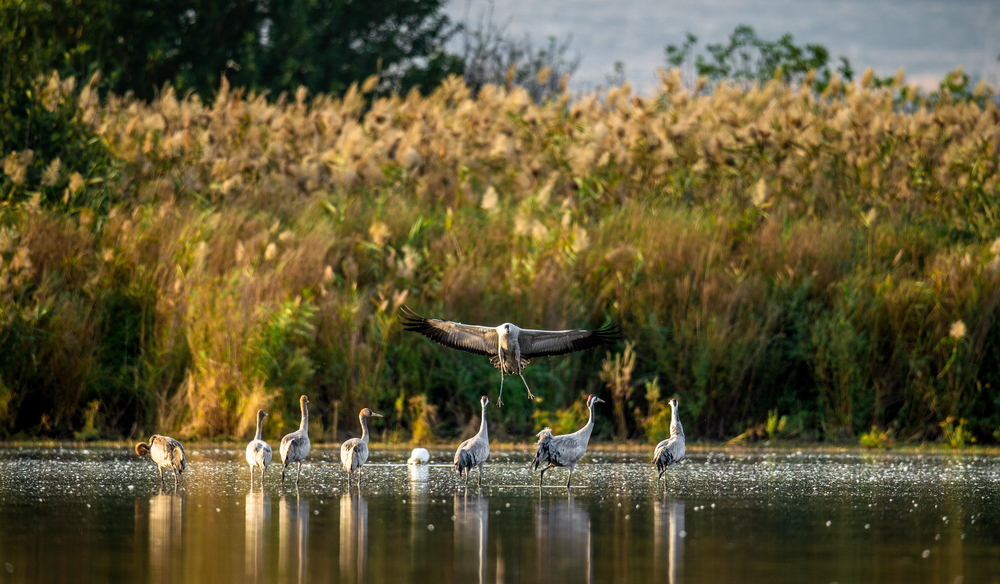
(926, 38)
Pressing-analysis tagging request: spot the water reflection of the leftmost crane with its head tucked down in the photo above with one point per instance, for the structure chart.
(166, 537)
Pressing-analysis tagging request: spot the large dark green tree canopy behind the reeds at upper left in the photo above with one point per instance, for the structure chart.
(262, 45)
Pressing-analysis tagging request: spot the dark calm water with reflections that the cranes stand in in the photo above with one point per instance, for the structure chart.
(97, 515)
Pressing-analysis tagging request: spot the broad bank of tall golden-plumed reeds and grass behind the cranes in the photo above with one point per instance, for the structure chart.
(770, 252)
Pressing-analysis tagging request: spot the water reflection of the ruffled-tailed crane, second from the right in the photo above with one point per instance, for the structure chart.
(562, 530)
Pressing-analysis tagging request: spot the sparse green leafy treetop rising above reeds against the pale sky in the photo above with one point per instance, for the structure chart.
(747, 59)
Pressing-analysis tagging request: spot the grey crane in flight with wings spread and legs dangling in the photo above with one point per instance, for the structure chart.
(509, 347)
